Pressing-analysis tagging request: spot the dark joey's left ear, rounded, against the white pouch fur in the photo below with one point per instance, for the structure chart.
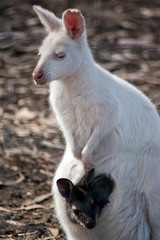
(65, 187)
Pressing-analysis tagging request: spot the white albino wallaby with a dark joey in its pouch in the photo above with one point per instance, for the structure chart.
(106, 123)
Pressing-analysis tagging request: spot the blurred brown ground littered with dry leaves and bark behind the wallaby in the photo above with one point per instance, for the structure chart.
(125, 39)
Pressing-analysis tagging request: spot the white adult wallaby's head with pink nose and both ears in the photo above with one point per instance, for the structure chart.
(61, 53)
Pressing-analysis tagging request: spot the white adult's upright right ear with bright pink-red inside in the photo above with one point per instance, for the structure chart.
(74, 23)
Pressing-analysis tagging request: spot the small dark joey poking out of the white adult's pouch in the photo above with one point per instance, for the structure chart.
(86, 199)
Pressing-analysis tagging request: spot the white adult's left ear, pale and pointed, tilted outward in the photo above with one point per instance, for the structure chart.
(48, 19)
